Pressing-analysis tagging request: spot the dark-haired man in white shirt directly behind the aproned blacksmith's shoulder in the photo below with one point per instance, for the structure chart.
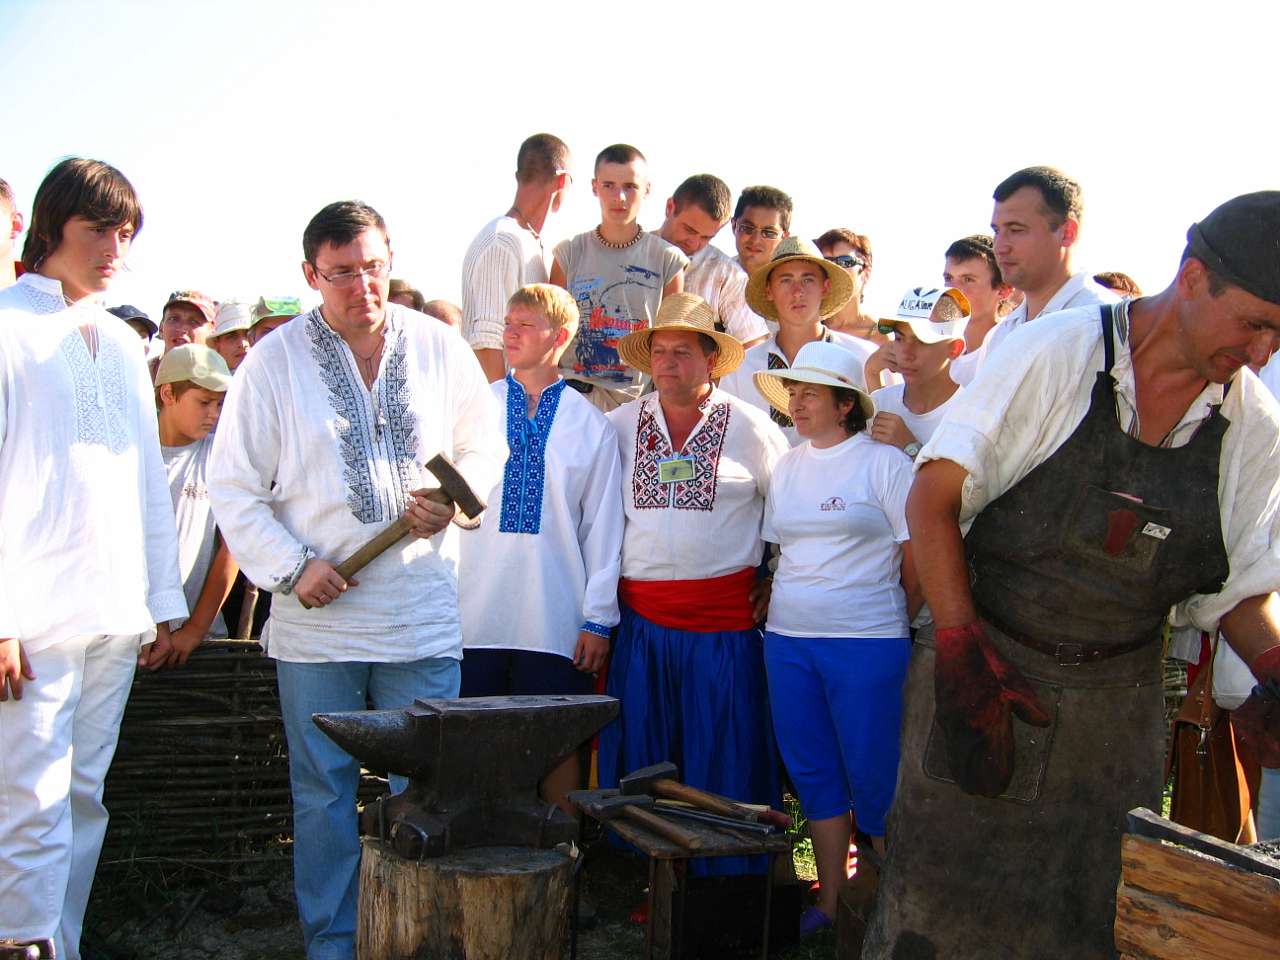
(1037, 225)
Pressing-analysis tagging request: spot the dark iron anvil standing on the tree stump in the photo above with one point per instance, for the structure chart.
(473, 767)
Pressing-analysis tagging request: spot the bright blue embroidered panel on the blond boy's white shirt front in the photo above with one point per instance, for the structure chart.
(527, 468)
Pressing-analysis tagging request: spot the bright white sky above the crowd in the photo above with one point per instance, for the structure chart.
(239, 121)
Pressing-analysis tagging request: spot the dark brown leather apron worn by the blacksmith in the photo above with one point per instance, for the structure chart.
(1075, 570)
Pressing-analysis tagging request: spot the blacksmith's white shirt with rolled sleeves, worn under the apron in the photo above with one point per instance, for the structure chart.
(1037, 391)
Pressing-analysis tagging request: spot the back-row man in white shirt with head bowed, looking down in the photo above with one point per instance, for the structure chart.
(696, 214)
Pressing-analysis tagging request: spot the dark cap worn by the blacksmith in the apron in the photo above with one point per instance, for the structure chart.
(1241, 243)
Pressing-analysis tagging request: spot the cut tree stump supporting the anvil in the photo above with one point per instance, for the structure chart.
(481, 904)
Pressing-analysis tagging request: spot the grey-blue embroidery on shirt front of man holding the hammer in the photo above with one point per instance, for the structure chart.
(365, 436)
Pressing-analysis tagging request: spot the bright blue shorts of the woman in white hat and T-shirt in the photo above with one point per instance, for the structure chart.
(838, 715)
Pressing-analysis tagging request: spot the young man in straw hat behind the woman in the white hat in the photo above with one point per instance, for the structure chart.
(798, 289)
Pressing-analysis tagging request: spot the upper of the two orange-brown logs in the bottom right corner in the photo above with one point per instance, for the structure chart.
(1203, 884)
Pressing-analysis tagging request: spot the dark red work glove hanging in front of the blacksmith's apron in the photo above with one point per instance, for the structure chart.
(976, 693)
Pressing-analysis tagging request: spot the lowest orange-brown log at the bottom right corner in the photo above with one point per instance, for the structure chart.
(1159, 930)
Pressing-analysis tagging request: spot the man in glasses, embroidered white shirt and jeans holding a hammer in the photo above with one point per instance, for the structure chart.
(321, 449)
